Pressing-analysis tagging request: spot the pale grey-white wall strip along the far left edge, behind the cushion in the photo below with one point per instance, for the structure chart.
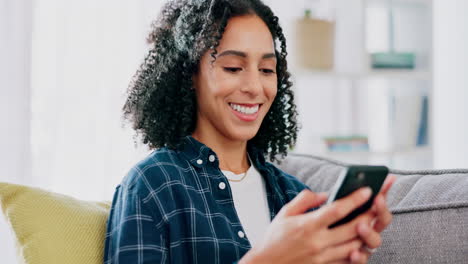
(15, 164)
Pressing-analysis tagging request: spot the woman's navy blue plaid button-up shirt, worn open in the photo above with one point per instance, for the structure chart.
(176, 206)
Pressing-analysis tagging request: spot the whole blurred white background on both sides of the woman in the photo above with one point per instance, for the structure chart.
(376, 82)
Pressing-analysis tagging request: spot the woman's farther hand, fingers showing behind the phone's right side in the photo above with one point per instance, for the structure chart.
(369, 232)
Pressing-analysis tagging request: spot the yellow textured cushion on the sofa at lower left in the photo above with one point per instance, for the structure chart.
(54, 228)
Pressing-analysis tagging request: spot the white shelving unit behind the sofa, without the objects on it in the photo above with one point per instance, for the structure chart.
(352, 96)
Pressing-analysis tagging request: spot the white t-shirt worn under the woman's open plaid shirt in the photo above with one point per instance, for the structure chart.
(250, 201)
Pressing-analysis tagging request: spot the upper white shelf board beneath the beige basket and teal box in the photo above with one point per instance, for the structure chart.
(376, 73)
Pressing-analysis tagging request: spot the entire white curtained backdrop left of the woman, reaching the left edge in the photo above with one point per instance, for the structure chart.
(64, 68)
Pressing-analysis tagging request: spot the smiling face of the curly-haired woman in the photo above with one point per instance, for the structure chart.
(235, 92)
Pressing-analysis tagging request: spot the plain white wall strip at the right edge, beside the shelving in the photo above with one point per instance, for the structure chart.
(450, 124)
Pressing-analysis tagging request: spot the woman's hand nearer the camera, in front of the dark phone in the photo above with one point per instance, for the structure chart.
(298, 237)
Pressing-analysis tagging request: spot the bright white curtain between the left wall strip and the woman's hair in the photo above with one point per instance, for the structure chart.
(84, 54)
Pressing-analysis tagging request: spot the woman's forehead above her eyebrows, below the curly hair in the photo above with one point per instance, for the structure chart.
(247, 33)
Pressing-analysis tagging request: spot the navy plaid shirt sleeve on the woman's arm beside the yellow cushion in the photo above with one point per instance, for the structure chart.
(132, 234)
